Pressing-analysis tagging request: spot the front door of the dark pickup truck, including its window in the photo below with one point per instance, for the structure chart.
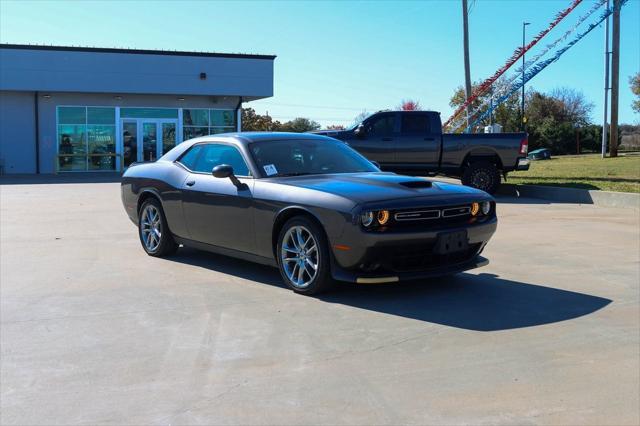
(376, 140)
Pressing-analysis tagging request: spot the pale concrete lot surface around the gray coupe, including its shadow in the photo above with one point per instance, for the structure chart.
(94, 331)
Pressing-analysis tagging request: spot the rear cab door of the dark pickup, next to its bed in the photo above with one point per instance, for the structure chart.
(418, 144)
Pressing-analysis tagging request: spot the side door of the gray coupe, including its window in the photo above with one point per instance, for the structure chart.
(216, 211)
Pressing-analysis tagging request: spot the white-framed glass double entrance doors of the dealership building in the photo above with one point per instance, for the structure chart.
(145, 139)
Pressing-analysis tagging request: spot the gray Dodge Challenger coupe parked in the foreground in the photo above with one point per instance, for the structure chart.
(310, 206)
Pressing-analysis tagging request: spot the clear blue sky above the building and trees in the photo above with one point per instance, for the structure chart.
(336, 59)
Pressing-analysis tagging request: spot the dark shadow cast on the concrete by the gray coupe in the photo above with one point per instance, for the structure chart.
(483, 302)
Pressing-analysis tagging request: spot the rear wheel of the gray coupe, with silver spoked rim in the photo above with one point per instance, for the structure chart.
(151, 218)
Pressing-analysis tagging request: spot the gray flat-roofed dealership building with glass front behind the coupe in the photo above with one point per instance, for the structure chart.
(76, 109)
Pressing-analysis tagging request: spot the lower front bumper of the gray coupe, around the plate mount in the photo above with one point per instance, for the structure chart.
(398, 256)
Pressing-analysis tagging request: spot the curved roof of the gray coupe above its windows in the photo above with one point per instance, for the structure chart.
(240, 138)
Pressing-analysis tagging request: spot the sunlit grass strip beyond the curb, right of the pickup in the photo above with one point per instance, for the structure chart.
(584, 171)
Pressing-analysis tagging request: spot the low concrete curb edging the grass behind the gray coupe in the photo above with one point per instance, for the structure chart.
(573, 195)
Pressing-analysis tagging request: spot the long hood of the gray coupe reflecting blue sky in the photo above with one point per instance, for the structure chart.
(382, 187)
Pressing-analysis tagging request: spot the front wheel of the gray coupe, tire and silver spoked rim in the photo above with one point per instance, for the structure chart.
(309, 281)
